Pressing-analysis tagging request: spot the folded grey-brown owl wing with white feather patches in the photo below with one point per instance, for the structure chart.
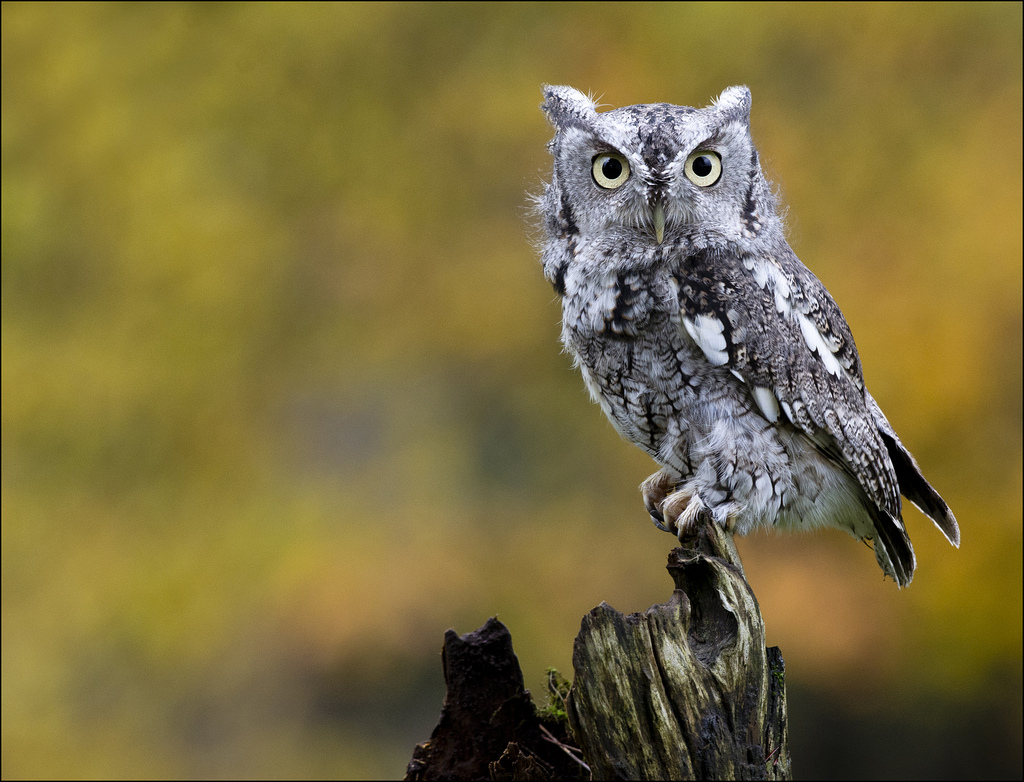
(774, 325)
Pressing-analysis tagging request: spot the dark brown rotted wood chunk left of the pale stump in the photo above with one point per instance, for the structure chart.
(489, 728)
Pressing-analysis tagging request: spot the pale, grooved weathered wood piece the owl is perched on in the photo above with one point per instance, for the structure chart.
(688, 689)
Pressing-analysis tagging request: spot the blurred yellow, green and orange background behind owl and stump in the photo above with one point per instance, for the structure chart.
(283, 397)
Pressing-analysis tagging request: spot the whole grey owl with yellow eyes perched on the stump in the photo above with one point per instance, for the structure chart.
(705, 339)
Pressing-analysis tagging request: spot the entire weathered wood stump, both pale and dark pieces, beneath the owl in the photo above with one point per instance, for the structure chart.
(686, 690)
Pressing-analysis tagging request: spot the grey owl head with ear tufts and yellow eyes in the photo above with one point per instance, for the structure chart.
(655, 173)
